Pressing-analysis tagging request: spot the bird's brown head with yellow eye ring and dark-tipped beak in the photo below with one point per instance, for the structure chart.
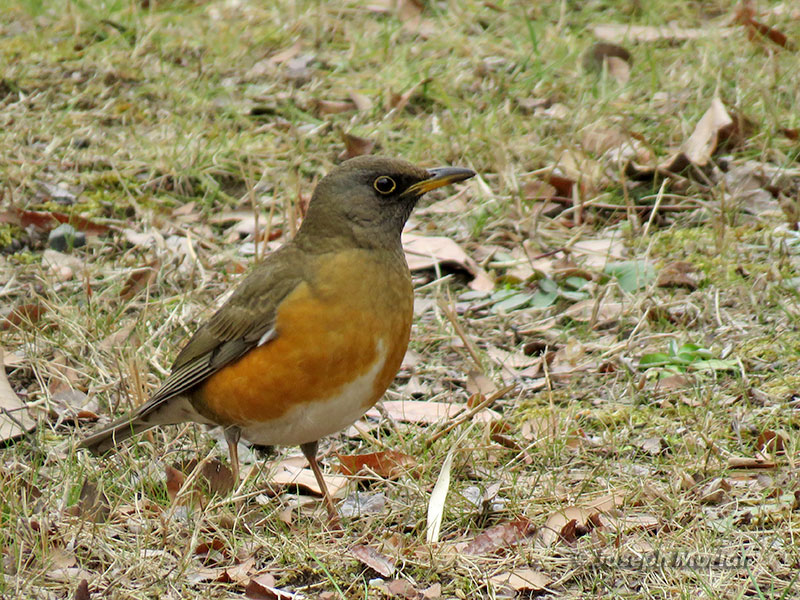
(367, 200)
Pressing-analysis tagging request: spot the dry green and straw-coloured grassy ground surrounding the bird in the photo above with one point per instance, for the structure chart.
(160, 119)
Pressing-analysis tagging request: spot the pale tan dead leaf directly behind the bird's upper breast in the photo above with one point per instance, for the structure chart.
(426, 252)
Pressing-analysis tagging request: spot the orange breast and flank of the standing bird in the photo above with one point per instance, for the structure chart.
(357, 311)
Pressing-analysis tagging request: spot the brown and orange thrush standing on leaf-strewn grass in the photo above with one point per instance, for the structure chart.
(313, 336)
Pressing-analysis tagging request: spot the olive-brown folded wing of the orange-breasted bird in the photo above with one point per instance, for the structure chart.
(245, 321)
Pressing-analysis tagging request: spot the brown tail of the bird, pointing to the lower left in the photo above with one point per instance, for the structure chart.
(162, 412)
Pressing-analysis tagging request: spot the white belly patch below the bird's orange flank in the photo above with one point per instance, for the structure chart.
(315, 420)
